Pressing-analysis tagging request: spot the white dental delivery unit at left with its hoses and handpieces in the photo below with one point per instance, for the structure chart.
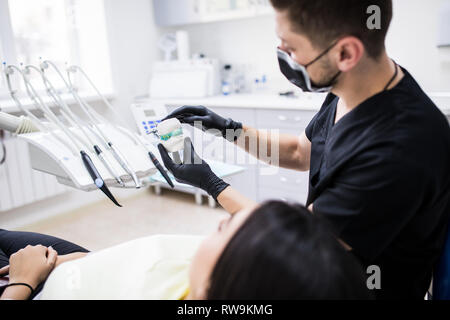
(56, 147)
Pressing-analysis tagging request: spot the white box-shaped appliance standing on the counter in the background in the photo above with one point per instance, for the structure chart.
(194, 78)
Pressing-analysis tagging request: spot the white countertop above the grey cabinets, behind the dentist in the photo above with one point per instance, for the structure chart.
(273, 101)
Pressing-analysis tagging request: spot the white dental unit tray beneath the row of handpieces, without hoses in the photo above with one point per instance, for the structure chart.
(52, 155)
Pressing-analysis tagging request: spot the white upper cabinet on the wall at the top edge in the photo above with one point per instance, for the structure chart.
(175, 12)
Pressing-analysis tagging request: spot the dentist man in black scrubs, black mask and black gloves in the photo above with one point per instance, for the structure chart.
(378, 151)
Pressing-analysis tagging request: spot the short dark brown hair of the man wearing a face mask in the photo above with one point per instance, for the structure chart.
(323, 21)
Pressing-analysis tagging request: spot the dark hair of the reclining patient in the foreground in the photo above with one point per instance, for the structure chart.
(282, 251)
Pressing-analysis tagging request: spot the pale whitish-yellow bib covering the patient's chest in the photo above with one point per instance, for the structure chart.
(154, 267)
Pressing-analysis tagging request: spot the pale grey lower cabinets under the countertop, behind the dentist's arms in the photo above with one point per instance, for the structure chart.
(259, 181)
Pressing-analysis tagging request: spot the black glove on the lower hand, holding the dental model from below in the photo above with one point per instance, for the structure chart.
(194, 170)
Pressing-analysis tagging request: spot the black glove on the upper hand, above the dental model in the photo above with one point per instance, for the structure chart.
(209, 120)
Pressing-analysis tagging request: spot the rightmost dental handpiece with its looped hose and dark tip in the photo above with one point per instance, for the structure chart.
(137, 139)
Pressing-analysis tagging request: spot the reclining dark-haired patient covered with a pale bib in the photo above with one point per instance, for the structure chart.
(275, 251)
